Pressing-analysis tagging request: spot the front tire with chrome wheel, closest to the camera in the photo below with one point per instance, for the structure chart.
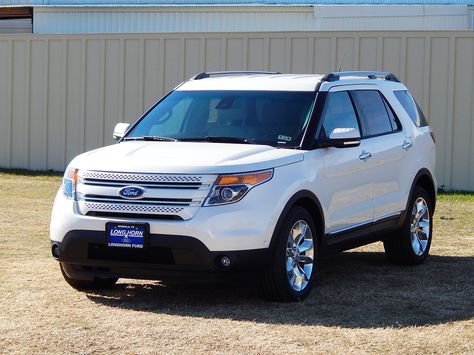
(290, 275)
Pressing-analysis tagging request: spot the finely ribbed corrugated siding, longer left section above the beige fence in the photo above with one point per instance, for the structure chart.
(171, 21)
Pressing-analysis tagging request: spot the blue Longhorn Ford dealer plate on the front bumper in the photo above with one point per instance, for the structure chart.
(127, 235)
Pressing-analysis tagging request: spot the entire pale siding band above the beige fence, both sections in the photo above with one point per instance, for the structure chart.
(251, 19)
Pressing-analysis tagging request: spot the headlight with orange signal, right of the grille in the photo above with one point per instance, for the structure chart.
(232, 188)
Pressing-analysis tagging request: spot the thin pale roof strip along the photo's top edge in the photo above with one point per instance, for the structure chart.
(135, 3)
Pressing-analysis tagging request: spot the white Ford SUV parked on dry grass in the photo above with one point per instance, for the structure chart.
(251, 171)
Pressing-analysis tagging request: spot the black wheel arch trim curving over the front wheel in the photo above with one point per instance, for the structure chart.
(310, 202)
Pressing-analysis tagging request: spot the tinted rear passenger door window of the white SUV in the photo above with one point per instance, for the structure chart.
(373, 112)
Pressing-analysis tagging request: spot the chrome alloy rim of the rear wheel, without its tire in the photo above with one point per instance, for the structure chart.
(420, 226)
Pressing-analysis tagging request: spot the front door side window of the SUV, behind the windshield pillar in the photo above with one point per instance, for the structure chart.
(339, 113)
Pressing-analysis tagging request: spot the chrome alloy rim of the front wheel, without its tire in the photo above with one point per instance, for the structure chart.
(299, 255)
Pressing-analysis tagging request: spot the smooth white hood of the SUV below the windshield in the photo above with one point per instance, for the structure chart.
(185, 157)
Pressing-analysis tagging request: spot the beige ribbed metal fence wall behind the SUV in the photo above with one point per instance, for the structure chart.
(62, 95)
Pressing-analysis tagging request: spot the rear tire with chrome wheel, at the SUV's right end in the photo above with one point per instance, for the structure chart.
(411, 244)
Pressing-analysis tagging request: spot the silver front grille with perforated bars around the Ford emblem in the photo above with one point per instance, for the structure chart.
(165, 194)
